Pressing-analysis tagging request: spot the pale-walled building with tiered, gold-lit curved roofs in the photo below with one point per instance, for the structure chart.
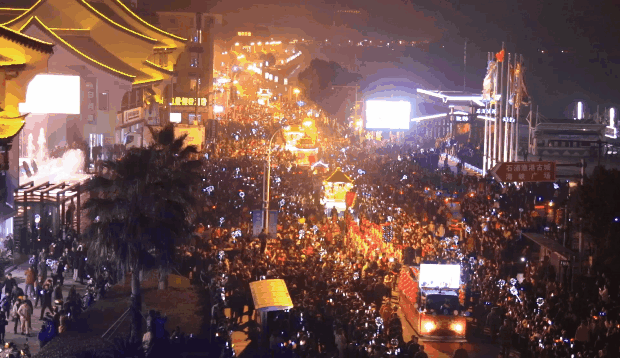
(125, 65)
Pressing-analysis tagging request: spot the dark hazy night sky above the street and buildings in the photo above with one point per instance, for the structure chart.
(555, 80)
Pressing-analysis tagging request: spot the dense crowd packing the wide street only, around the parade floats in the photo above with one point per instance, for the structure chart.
(440, 216)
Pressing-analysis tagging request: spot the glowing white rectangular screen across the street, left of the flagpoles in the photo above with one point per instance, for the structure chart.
(388, 115)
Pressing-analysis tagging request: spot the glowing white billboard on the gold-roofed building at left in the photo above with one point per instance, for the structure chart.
(52, 94)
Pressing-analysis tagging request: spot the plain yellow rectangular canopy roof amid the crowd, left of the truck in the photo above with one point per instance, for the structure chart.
(270, 295)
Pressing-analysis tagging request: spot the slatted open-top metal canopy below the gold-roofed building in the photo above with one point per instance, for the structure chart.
(57, 195)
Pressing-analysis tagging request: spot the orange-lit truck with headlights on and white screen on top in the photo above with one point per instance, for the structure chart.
(432, 299)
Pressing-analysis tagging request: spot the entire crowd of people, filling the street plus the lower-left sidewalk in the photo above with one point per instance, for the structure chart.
(341, 269)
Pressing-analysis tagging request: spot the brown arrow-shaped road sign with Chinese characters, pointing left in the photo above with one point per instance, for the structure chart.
(524, 171)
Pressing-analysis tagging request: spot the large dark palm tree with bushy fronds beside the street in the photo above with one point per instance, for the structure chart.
(140, 206)
